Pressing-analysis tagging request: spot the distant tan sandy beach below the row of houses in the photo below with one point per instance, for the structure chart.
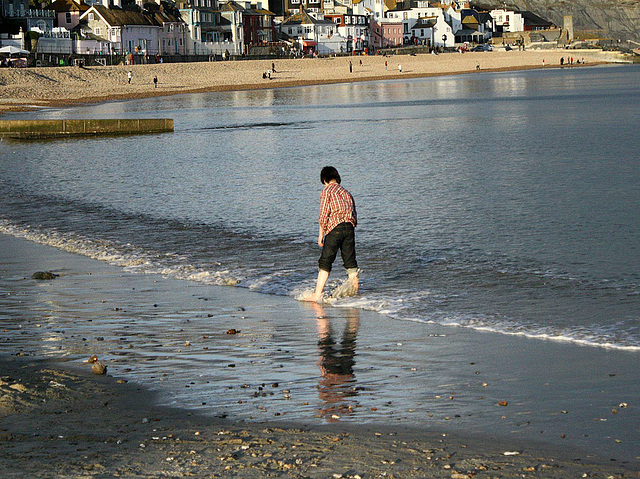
(42, 87)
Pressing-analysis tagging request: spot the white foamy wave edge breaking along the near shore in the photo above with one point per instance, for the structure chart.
(139, 260)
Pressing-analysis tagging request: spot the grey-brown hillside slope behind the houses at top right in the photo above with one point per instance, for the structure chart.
(611, 18)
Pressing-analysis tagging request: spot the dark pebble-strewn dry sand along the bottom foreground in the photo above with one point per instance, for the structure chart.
(60, 421)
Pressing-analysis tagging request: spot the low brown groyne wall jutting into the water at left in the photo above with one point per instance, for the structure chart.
(45, 129)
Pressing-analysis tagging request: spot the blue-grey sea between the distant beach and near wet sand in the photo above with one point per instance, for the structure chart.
(508, 202)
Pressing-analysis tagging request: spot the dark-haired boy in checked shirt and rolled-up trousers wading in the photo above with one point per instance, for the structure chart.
(337, 219)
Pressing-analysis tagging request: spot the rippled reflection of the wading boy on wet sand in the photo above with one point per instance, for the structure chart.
(336, 387)
